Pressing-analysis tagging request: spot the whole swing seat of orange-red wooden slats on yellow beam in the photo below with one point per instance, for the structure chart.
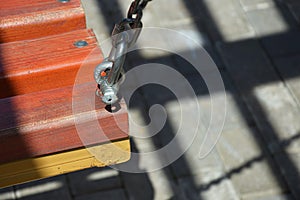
(39, 62)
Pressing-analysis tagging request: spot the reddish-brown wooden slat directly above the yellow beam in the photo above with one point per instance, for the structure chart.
(42, 123)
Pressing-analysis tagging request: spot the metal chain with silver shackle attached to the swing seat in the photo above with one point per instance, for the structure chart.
(108, 74)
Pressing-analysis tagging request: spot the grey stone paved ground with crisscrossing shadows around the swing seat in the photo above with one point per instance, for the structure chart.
(256, 45)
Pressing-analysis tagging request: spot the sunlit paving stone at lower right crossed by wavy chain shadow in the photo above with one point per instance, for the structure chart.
(247, 164)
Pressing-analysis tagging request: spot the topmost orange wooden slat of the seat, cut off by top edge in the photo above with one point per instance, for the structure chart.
(29, 19)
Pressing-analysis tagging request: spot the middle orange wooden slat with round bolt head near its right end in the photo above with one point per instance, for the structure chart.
(45, 63)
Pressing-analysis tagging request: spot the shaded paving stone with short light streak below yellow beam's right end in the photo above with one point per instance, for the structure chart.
(92, 180)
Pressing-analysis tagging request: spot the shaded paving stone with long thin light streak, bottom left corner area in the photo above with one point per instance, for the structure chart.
(50, 188)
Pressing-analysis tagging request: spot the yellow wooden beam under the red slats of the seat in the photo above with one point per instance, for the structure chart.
(51, 165)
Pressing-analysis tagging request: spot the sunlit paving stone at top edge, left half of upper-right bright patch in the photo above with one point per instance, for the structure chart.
(235, 25)
